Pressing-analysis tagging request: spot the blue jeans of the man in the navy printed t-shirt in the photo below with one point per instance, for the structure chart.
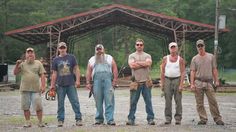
(71, 93)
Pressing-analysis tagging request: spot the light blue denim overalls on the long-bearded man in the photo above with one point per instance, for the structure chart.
(103, 92)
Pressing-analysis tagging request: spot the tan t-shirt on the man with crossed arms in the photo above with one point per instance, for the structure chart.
(141, 74)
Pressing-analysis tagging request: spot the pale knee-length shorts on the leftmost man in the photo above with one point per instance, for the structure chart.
(28, 98)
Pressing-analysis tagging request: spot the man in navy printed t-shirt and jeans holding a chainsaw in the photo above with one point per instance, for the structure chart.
(65, 78)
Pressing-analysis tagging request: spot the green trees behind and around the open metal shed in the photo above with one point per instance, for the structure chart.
(118, 41)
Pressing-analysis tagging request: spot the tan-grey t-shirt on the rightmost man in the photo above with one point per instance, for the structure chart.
(203, 65)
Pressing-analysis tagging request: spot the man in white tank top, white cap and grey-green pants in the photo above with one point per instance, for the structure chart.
(172, 77)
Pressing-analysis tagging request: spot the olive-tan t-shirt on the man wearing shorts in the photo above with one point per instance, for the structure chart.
(30, 75)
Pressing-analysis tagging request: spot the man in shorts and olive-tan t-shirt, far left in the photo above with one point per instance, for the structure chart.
(31, 72)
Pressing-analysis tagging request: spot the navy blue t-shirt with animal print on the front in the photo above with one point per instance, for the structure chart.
(64, 67)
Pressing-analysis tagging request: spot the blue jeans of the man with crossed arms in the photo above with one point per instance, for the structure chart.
(134, 97)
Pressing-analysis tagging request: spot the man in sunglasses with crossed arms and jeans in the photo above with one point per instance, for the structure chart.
(140, 63)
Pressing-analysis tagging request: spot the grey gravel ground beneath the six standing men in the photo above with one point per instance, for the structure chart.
(11, 118)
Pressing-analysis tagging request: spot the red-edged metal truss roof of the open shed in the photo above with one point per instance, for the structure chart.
(52, 32)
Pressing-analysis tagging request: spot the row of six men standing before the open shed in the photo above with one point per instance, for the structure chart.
(101, 79)
